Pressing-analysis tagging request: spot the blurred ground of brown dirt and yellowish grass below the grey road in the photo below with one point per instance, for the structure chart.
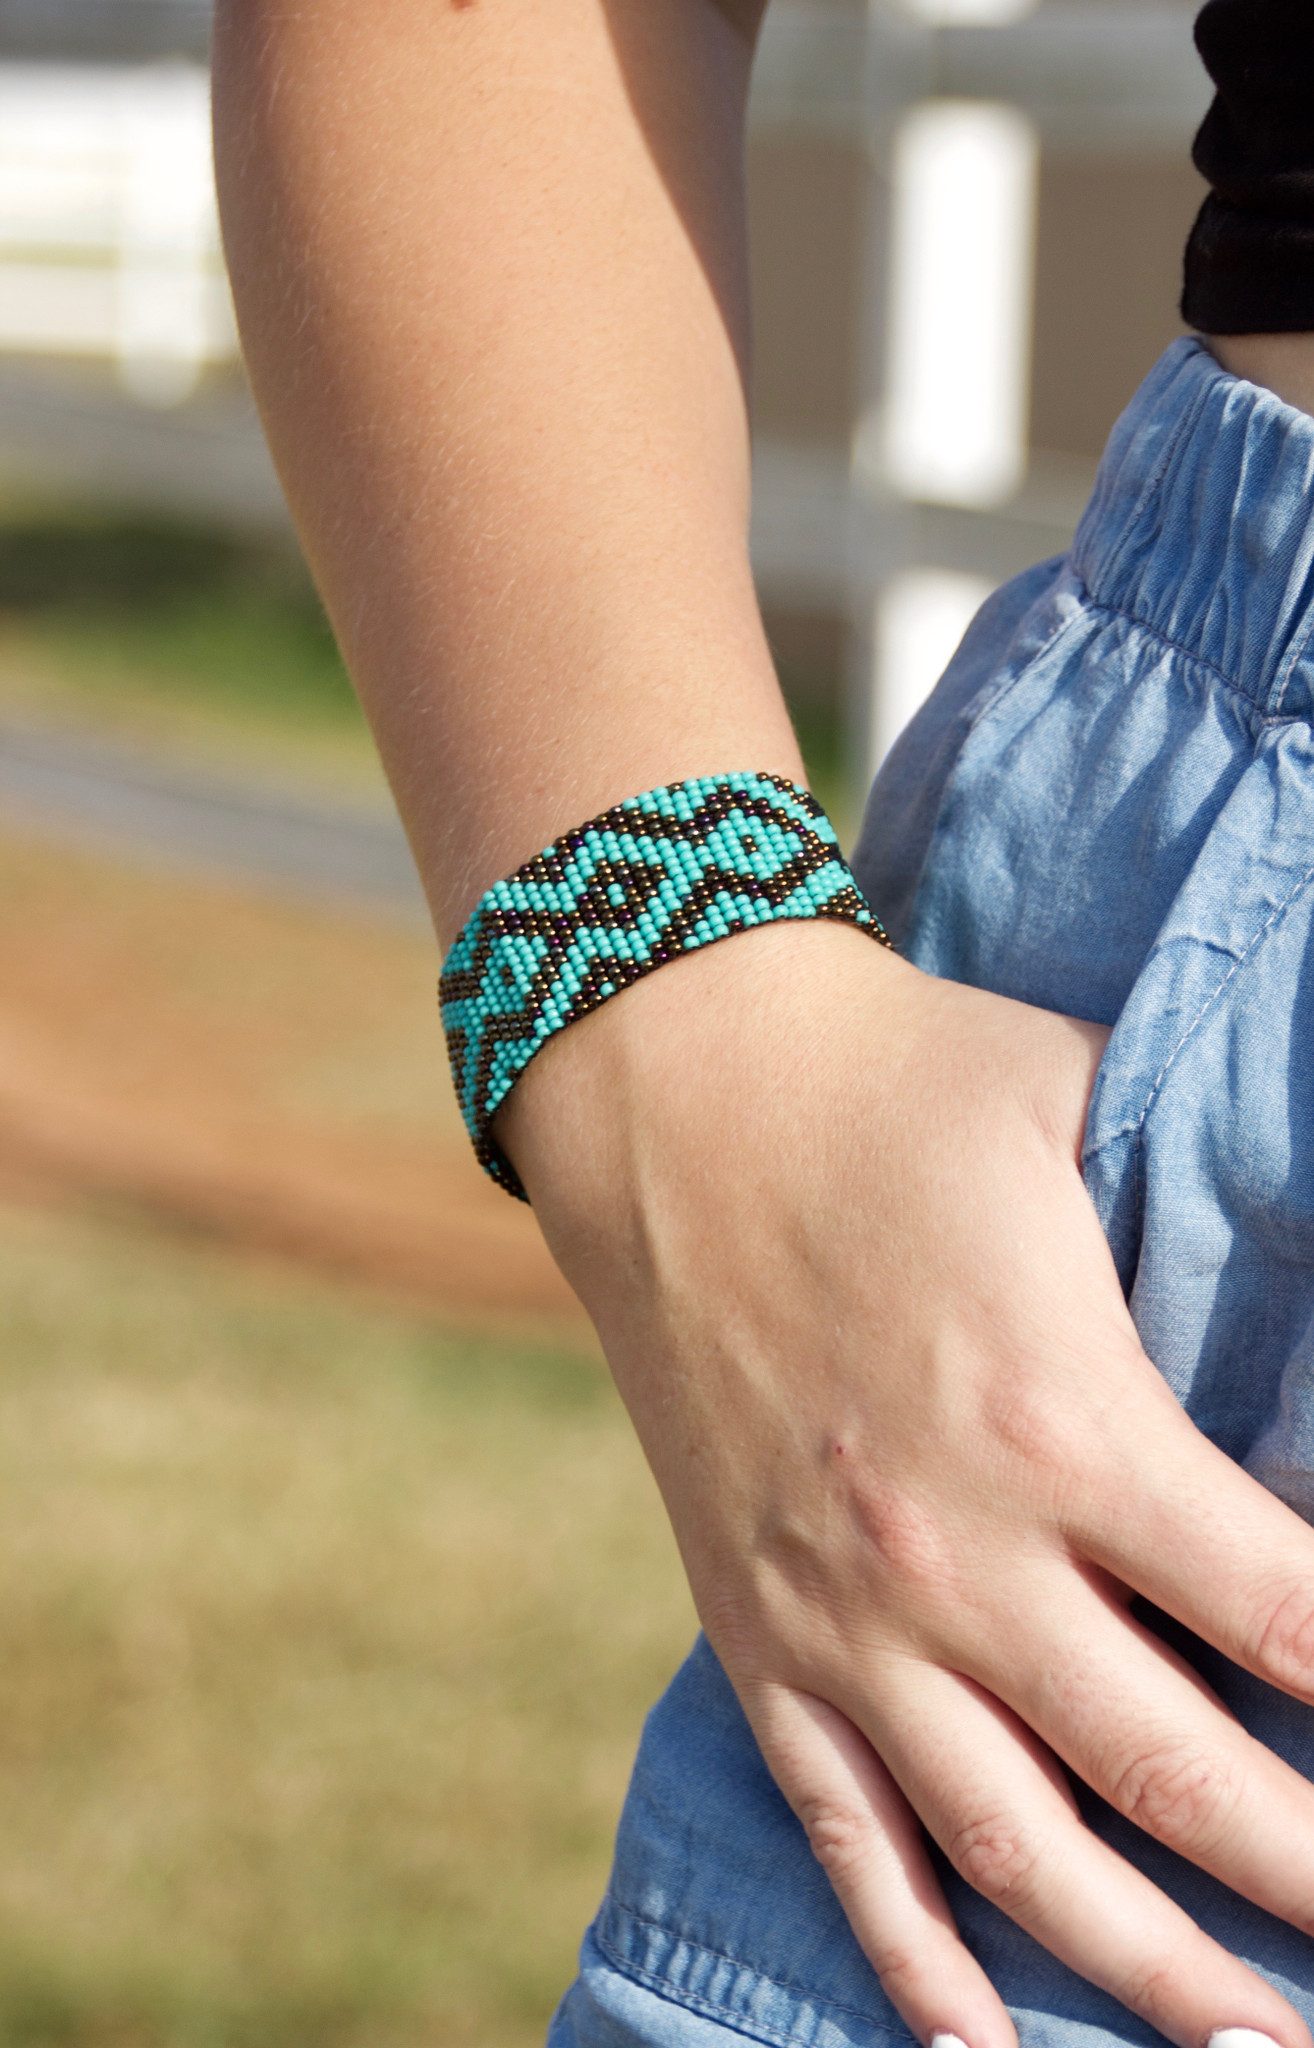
(333, 1586)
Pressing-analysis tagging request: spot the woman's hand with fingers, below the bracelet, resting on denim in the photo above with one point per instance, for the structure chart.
(830, 1224)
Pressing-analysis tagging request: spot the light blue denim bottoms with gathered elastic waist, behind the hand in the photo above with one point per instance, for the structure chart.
(1106, 808)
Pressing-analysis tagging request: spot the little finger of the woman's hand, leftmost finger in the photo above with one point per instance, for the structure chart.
(873, 1852)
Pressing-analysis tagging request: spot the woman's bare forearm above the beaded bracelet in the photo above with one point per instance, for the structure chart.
(490, 271)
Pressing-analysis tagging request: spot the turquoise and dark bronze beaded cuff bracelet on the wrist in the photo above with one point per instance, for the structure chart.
(650, 880)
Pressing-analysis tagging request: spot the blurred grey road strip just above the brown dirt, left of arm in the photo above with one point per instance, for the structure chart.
(103, 794)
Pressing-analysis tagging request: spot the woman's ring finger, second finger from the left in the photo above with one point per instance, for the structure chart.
(1000, 1809)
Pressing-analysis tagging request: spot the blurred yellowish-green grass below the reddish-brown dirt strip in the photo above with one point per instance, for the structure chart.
(326, 1646)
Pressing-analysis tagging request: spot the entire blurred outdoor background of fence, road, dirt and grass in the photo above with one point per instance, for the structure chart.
(333, 1588)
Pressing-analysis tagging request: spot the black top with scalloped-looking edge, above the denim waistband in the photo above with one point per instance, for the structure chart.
(1250, 265)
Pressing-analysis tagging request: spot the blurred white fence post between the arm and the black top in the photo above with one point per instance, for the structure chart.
(945, 421)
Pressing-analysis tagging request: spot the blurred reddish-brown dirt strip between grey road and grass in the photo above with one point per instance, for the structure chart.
(263, 1074)
